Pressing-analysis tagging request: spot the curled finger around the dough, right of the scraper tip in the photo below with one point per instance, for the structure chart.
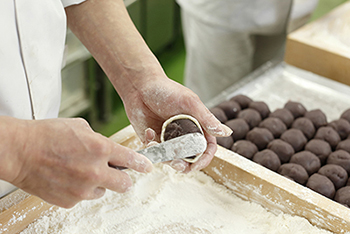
(207, 156)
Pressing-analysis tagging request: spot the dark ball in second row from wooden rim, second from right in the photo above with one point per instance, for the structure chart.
(308, 160)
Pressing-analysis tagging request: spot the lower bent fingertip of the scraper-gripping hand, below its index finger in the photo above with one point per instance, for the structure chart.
(116, 180)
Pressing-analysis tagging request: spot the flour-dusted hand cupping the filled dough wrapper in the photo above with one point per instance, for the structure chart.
(159, 99)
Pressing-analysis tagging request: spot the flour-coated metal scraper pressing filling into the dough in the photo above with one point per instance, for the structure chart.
(180, 147)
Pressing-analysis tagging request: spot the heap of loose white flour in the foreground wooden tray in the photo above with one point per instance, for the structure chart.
(165, 201)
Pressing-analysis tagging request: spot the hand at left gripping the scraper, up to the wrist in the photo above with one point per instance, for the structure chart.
(63, 161)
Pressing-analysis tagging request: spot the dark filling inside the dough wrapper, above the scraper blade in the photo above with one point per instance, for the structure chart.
(180, 127)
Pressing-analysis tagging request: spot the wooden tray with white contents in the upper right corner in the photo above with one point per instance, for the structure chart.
(323, 46)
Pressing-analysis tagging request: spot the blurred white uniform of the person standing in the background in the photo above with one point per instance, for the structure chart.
(226, 39)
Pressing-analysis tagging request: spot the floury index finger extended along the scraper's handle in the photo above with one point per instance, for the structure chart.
(125, 157)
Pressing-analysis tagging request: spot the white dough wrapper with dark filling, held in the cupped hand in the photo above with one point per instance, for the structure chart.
(179, 125)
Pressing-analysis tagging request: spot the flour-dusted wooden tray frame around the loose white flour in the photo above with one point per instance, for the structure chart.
(247, 179)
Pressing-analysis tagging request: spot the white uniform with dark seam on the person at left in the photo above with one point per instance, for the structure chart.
(31, 52)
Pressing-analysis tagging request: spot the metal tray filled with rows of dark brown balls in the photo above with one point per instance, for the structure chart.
(294, 123)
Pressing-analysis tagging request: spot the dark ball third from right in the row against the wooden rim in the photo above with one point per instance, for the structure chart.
(295, 172)
